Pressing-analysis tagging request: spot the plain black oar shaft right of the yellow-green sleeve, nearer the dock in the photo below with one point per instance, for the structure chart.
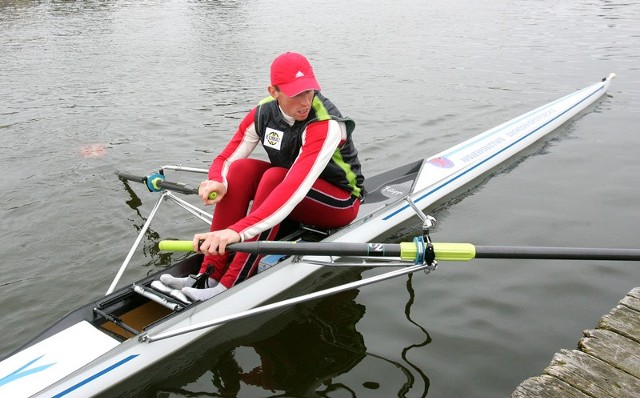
(557, 253)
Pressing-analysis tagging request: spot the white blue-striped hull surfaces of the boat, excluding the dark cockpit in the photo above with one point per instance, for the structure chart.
(439, 176)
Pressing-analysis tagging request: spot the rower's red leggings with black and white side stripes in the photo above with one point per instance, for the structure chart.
(325, 206)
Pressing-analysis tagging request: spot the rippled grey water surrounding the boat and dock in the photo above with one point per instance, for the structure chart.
(87, 88)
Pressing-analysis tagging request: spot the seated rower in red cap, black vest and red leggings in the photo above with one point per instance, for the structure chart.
(313, 175)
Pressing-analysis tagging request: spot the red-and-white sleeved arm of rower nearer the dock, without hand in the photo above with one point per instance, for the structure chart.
(320, 141)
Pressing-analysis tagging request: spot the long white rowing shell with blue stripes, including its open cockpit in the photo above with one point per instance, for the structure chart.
(82, 356)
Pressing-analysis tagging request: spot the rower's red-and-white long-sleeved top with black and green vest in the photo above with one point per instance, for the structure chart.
(318, 147)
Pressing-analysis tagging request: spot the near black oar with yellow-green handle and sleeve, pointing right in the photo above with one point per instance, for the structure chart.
(410, 250)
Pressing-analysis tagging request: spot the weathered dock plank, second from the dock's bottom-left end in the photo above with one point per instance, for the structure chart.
(591, 375)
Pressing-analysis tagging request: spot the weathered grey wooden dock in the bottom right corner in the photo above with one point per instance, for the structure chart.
(606, 363)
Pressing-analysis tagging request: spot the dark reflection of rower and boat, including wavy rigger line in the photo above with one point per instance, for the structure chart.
(307, 357)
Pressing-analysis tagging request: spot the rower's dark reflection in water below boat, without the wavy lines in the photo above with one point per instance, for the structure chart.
(302, 359)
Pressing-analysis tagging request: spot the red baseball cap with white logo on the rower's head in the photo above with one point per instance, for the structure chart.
(293, 74)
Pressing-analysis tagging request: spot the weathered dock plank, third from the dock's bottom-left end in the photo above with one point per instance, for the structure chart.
(612, 348)
